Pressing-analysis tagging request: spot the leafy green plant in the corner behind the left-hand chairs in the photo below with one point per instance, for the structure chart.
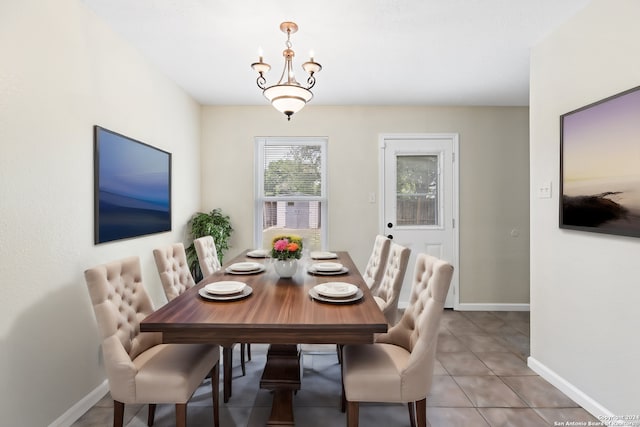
(215, 224)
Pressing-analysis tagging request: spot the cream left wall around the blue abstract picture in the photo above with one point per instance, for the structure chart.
(61, 72)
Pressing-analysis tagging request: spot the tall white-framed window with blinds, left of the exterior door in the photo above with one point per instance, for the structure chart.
(290, 195)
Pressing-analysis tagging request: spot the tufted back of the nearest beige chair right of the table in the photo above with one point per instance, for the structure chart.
(417, 331)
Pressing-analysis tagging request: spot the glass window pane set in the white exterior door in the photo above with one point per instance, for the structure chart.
(417, 190)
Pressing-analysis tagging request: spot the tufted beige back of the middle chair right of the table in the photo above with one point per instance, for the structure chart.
(388, 293)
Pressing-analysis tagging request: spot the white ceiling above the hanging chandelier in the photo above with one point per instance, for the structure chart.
(373, 52)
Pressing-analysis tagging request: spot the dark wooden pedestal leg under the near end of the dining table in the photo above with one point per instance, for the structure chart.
(282, 376)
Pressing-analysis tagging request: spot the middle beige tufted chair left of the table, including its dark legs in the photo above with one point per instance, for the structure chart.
(171, 261)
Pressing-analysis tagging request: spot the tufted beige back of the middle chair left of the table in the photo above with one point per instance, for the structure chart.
(174, 271)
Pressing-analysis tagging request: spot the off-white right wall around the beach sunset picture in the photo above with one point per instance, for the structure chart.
(584, 286)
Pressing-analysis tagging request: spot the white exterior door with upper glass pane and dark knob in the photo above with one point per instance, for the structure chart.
(420, 200)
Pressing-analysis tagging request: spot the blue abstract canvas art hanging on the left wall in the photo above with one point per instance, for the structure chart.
(132, 187)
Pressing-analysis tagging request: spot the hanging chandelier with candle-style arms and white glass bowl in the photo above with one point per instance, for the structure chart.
(287, 96)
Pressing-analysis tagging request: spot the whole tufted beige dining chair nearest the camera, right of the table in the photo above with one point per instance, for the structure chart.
(398, 367)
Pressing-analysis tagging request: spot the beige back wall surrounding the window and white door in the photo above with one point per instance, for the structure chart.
(493, 181)
